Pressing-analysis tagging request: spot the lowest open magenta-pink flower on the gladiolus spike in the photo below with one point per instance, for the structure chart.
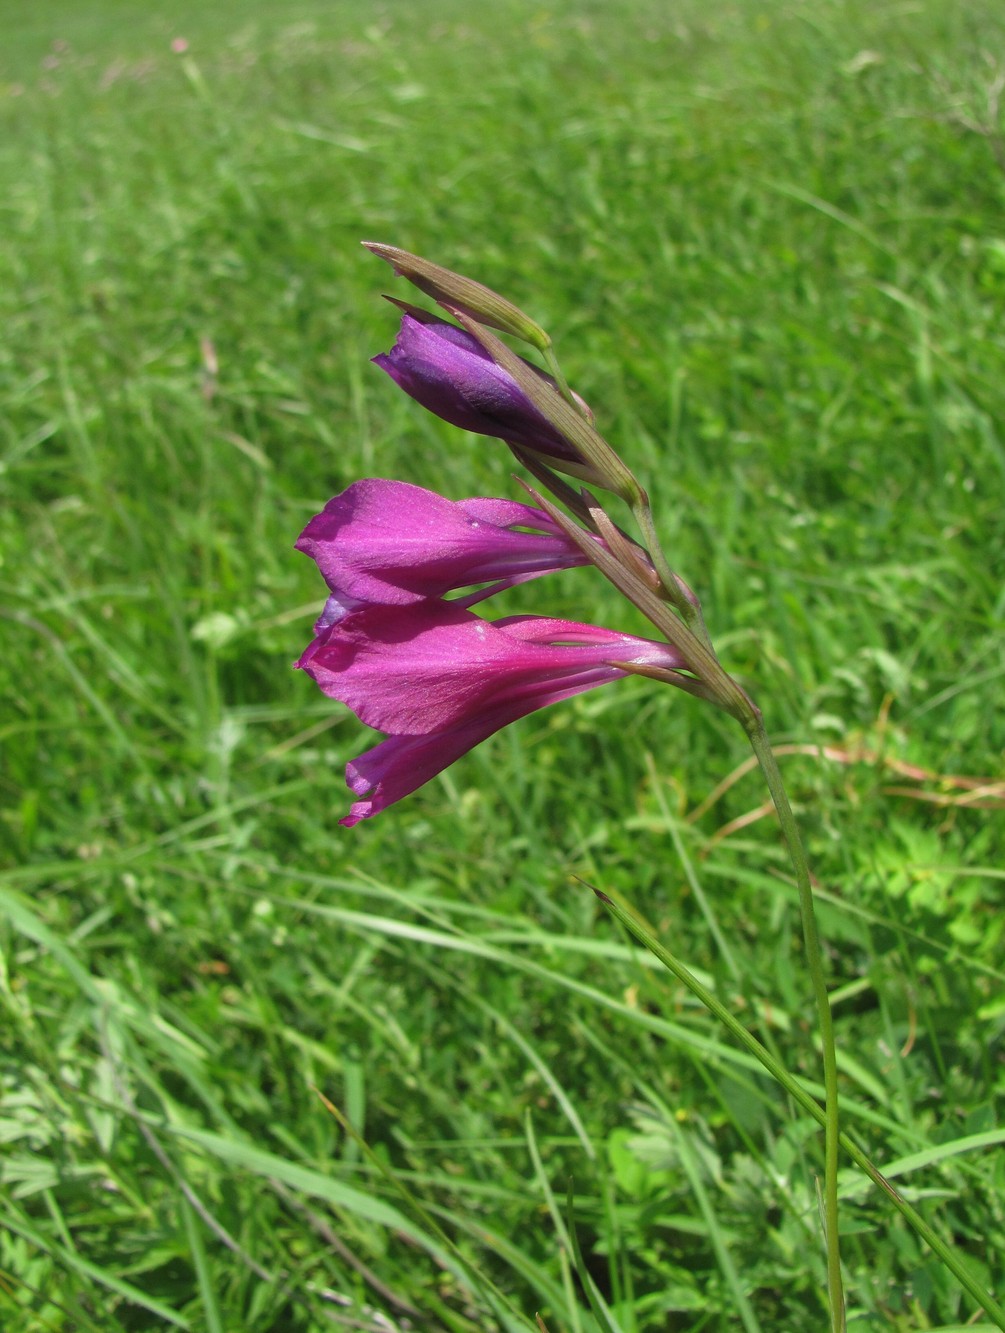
(441, 680)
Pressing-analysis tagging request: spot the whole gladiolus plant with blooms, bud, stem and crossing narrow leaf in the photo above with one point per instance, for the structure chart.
(438, 679)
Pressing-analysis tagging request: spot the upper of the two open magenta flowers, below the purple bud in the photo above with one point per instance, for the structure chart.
(394, 543)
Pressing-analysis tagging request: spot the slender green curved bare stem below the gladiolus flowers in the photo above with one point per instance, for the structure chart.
(754, 724)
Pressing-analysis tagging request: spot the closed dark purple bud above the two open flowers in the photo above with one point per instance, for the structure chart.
(447, 371)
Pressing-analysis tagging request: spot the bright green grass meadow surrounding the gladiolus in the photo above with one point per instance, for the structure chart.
(265, 1074)
